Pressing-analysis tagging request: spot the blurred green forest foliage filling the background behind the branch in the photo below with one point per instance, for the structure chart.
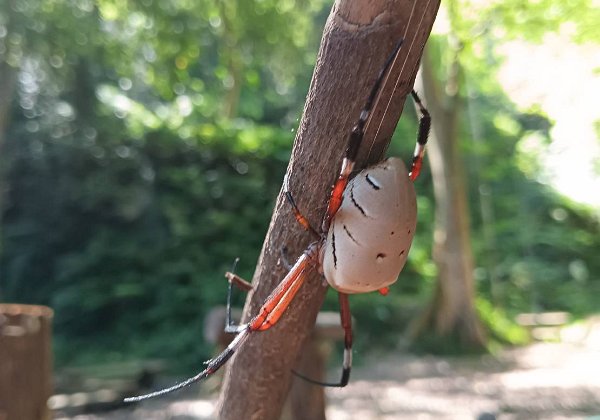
(142, 145)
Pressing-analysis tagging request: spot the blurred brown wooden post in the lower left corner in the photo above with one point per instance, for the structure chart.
(25, 362)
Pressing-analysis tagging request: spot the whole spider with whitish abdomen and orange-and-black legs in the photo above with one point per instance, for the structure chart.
(361, 247)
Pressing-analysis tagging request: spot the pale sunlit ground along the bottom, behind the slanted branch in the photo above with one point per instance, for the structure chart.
(539, 381)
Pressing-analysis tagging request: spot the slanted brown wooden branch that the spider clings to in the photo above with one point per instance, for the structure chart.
(358, 37)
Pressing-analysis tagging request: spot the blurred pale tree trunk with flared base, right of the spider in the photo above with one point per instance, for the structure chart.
(452, 313)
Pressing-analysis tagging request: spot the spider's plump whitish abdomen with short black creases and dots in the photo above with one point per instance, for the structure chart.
(370, 236)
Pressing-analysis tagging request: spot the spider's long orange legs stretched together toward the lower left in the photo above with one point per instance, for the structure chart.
(275, 305)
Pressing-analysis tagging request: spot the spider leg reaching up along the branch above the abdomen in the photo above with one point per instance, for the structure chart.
(354, 141)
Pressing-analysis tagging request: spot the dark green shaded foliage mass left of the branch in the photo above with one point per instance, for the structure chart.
(148, 228)
